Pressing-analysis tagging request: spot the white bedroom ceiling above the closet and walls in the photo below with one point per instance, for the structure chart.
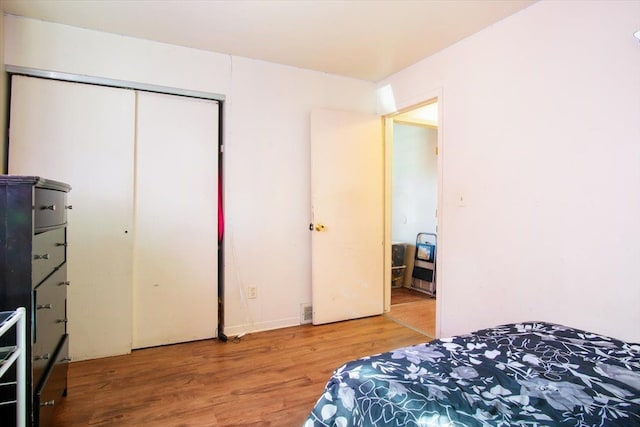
(364, 39)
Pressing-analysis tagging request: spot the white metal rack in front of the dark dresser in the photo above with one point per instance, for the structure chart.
(15, 354)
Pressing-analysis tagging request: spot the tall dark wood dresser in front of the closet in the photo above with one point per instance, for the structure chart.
(33, 256)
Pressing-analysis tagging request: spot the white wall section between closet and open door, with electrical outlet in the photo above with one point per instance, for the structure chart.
(268, 183)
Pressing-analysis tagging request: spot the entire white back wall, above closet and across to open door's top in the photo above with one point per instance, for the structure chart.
(266, 149)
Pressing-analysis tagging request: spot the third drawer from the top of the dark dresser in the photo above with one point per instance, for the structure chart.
(49, 303)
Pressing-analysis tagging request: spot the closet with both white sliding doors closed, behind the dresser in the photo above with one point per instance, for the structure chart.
(142, 248)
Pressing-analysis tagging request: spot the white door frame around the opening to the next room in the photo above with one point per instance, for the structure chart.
(388, 119)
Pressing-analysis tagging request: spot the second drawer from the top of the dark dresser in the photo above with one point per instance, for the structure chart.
(49, 251)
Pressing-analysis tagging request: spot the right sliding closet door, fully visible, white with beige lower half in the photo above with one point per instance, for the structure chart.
(175, 255)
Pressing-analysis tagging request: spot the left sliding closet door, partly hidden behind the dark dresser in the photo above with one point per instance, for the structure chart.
(84, 135)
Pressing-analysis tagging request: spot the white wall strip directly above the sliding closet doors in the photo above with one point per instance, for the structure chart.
(42, 45)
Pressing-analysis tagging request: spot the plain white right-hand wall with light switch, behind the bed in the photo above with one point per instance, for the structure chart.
(541, 135)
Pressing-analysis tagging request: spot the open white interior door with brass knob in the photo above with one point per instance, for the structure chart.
(347, 188)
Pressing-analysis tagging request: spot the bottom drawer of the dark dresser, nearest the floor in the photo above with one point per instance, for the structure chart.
(53, 387)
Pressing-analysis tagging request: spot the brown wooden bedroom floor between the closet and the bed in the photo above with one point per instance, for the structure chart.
(265, 379)
